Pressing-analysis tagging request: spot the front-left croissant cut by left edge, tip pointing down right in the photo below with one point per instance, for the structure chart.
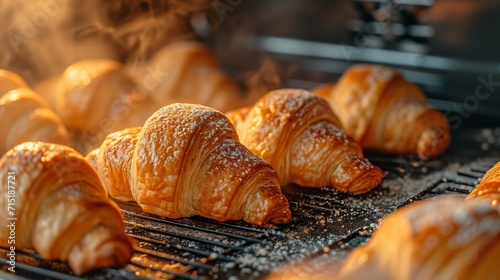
(61, 208)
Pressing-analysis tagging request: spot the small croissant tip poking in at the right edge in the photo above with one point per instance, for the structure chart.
(489, 188)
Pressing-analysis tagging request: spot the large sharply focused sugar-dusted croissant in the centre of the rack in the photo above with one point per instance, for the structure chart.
(186, 160)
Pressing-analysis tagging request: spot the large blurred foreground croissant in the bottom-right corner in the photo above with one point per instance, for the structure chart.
(439, 238)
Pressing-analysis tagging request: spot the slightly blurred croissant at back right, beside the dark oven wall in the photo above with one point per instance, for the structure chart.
(384, 112)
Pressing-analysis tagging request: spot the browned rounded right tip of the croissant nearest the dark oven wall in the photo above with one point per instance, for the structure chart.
(433, 142)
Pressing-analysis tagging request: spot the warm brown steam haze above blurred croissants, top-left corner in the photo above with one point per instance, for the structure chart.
(41, 38)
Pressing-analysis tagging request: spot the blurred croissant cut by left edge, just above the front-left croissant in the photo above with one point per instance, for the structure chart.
(26, 117)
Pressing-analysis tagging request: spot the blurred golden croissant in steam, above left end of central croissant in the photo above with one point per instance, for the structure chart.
(99, 95)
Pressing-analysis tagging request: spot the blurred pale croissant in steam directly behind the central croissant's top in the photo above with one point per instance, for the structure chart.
(187, 72)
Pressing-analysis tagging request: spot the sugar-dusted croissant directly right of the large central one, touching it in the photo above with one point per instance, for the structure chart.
(300, 136)
